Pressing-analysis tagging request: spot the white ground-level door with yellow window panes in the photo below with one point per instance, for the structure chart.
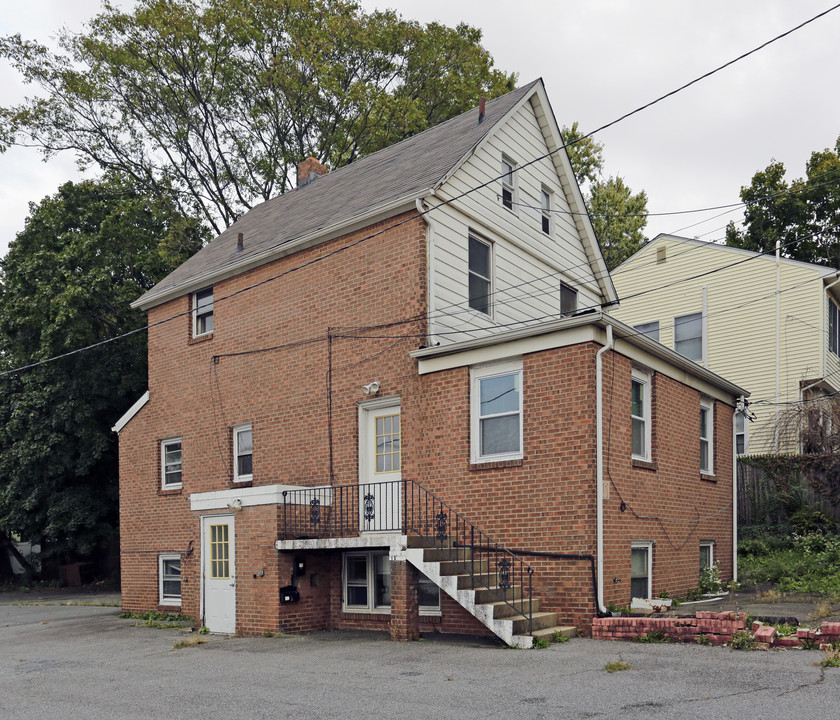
(219, 573)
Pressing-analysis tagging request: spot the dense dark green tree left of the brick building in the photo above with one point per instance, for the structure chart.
(67, 282)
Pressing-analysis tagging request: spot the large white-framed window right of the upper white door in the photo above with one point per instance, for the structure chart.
(497, 412)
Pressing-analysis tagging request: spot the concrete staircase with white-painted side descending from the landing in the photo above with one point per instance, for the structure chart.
(473, 585)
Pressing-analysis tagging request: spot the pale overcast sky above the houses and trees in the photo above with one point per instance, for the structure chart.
(599, 59)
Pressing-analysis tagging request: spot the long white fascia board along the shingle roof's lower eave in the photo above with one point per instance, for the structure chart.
(284, 249)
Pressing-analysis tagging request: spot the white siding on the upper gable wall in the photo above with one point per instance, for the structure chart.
(528, 264)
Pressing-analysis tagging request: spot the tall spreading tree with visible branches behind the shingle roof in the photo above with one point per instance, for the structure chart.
(220, 99)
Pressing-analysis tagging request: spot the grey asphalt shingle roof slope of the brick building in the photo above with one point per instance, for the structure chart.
(407, 168)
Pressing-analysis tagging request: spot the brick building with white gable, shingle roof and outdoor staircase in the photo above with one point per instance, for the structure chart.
(391, 399)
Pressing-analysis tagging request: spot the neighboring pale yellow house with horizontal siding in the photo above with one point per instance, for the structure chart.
(772, 327)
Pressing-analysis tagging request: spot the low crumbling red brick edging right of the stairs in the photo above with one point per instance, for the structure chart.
(718, 628)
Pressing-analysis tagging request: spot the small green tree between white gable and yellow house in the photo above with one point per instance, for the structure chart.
(619, 215)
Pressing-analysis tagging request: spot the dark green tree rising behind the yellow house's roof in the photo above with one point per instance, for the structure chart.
(803, 215)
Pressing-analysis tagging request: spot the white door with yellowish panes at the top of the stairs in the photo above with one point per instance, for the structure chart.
(380, 506)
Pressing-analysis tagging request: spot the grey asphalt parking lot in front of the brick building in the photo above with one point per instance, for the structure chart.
(80, 661)
